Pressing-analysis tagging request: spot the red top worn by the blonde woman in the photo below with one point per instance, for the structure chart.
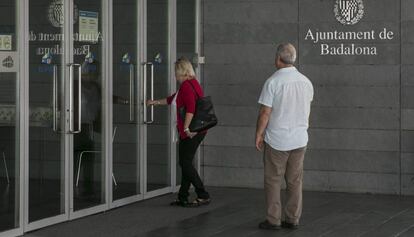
(186, 98)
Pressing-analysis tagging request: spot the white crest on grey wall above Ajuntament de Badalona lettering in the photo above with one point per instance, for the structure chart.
(349, 12)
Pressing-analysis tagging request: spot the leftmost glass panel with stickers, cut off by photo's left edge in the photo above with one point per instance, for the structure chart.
(9, 118)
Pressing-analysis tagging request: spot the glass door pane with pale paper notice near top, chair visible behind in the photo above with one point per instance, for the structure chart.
(89, 189)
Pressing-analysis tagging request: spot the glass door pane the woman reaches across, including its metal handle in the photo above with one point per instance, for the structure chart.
(156, 83)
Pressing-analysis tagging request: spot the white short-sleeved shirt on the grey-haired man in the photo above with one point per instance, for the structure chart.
(289, 93)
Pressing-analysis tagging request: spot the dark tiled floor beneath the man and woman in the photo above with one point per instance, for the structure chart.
(237, 212)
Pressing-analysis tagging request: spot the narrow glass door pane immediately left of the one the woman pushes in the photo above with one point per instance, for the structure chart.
(125, 119)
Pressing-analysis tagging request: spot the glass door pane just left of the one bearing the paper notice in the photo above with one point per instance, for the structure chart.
(46, 162)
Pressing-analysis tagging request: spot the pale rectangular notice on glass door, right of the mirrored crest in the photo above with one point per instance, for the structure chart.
(88, 26)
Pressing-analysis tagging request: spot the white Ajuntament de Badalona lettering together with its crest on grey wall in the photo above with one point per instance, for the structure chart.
(331, 40)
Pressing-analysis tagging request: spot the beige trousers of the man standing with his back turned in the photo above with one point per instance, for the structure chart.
(287, 164)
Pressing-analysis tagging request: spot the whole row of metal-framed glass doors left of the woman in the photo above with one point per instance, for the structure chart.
(76, 122)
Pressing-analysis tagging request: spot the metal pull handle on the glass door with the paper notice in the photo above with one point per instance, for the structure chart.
(71, 87)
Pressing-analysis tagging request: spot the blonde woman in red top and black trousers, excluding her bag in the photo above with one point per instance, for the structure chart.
(185, 100)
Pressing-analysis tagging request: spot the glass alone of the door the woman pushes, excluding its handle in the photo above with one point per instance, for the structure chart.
(158, 155)
